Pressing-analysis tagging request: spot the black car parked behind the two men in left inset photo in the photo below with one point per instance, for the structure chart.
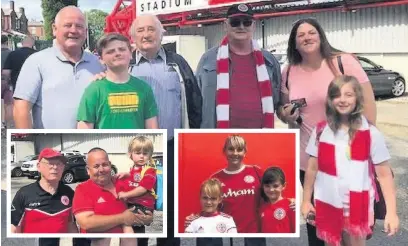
(75, 169)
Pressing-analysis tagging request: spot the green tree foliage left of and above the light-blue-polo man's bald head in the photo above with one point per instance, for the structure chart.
(50, 9)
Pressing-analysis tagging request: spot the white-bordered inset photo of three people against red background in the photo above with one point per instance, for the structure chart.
(237, 183)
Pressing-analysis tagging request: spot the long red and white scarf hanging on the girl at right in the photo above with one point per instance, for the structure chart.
(328, 203)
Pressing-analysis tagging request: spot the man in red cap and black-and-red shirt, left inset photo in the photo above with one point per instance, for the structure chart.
(45, 205)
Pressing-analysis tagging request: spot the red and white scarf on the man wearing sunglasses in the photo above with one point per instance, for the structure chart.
(223, 86)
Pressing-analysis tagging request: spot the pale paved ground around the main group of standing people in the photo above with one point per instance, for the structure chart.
(392, 121)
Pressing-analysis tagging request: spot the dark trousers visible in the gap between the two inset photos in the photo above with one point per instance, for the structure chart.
(170, 240)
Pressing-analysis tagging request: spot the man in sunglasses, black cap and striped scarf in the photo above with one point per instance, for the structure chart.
(239, 82)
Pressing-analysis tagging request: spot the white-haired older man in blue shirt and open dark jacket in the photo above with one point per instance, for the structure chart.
(176, 91)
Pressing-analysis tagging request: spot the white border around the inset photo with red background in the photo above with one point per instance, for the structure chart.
(237, 235)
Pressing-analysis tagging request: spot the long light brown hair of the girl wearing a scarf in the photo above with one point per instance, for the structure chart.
(334, 91)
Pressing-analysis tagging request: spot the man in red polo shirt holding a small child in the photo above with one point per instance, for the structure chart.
(96, 206)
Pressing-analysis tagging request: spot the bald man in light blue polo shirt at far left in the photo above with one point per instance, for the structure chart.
(52, 81)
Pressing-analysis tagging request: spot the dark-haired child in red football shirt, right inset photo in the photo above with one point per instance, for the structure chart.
(275, 214)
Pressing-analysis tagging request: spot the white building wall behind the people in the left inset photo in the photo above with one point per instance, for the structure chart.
(115, 144)
